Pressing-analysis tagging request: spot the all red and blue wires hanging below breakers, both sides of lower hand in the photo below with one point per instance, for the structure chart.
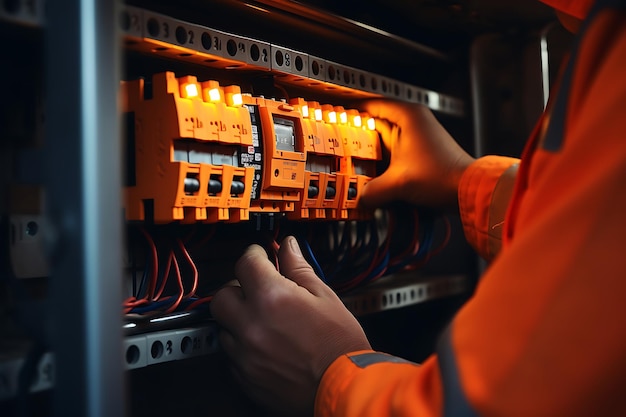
(346, 255)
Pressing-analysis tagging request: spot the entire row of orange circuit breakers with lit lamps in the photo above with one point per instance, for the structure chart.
(200, 152)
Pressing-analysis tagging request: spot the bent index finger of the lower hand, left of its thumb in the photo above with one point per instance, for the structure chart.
(255, 271)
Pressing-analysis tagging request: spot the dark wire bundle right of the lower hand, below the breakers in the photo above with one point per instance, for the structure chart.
(353, 253)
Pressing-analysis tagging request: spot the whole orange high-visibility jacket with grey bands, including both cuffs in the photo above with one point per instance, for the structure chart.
(545, 332)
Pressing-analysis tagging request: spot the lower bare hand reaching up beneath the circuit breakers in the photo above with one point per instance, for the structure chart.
(283, 331)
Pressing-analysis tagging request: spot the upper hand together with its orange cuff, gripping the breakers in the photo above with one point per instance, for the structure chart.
(429, 168)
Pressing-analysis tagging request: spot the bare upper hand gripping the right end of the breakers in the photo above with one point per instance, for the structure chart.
(426, 162)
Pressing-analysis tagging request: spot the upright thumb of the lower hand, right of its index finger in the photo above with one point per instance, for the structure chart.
(294, 266)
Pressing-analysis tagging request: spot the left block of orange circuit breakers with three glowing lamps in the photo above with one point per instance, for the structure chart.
(184, 139)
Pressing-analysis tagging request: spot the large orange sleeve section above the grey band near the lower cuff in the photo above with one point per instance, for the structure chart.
(544, 334)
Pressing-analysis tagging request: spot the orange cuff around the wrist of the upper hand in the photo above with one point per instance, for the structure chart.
(484, 193)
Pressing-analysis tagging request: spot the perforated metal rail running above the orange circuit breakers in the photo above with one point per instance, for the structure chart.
(159, 34)
